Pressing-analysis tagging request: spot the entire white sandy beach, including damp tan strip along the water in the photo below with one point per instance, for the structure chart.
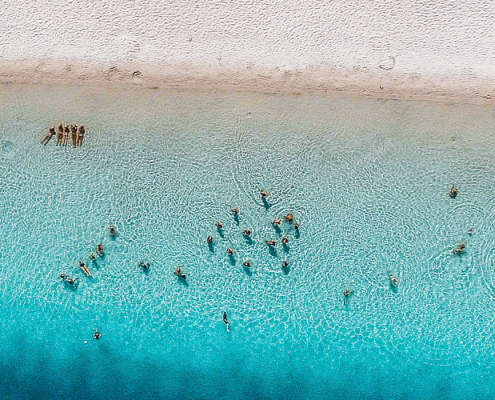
(439, 50)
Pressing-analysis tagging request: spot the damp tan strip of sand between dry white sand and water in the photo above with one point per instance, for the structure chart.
(382, 84)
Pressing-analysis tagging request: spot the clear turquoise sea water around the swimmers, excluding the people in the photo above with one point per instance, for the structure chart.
(367, 180)
